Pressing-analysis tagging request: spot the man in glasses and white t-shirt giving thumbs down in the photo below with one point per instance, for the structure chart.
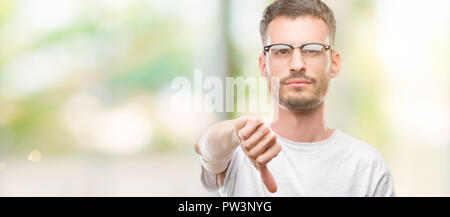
(297, 154)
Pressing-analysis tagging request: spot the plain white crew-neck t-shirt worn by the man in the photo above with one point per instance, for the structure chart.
(340, 165)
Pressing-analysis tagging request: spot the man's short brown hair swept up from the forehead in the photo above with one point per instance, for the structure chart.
(294, 9)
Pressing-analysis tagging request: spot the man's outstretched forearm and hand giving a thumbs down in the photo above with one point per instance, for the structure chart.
(218, 142)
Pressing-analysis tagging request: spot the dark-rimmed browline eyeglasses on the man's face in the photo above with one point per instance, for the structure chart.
(311, 53)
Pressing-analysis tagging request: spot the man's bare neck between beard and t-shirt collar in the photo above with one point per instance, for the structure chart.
(301, 126)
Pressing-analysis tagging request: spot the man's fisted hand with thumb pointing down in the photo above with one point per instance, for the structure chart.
(260, 145)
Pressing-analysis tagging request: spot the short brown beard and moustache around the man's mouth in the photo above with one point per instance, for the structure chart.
(300, 98)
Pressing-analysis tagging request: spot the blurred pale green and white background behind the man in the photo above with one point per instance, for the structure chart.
(85, 90)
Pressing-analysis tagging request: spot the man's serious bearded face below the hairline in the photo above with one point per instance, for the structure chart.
(290, 75)
